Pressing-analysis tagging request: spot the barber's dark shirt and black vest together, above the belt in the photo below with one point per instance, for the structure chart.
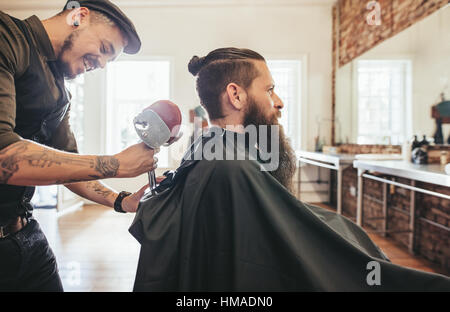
(34, 102)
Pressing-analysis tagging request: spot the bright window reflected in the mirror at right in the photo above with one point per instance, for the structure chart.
(383, 97)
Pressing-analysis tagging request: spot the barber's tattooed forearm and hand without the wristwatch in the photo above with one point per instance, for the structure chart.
(28, 163)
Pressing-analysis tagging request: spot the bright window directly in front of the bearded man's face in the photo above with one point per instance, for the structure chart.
(287, 77)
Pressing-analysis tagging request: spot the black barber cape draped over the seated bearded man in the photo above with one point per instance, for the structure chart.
(223, 225)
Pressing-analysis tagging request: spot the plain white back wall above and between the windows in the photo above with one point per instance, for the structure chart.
(181, 32)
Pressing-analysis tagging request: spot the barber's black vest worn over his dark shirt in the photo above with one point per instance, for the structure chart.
(34, 121)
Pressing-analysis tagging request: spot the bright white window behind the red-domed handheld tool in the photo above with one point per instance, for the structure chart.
(131, 87)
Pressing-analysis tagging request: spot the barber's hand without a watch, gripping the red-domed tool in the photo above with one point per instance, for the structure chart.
(136, 160)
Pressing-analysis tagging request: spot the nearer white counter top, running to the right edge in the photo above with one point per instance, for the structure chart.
(433, 173)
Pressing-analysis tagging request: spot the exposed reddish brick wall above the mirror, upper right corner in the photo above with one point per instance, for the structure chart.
(356, 36)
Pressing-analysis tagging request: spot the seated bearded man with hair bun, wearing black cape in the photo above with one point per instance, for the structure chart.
(226, 220)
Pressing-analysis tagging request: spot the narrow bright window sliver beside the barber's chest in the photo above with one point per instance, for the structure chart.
(76, 88)
